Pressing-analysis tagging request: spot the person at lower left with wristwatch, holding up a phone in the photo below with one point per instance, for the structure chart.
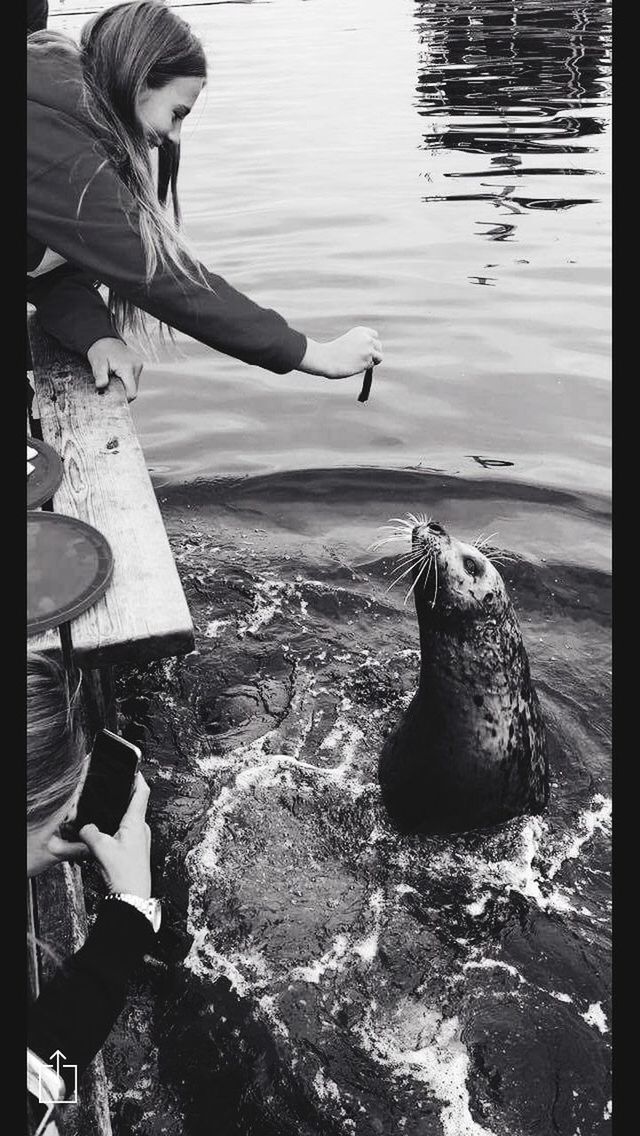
(77, 1009)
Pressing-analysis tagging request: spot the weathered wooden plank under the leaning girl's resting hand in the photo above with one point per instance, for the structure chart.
(144, 615)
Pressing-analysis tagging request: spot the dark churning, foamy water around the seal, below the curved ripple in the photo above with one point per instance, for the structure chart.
(339, 979)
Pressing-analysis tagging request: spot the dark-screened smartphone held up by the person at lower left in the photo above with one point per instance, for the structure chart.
(110, 783)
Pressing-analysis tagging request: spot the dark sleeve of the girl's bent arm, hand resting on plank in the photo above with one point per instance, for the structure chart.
(71, 308)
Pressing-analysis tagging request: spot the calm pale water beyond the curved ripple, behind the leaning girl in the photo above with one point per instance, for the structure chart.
(438, 171)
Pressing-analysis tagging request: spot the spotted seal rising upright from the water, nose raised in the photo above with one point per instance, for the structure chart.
(471, 750)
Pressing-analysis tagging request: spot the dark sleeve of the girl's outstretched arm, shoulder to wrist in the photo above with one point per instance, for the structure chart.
(79, 207)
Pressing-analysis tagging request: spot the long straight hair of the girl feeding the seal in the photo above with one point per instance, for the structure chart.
(123, 49)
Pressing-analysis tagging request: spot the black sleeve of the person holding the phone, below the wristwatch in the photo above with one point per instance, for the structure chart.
(78, 1008)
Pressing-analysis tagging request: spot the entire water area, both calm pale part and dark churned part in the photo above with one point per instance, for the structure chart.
(442, 172)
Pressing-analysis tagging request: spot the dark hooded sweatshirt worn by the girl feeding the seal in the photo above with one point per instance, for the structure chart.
(79, 207)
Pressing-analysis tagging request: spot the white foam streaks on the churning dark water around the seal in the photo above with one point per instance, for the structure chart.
(436, 1055)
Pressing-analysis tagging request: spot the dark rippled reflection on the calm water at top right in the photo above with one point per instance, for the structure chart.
(517, 82)
